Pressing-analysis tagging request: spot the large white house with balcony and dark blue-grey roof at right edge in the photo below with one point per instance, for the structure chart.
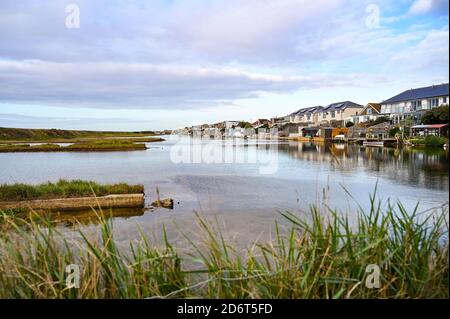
(414, 102)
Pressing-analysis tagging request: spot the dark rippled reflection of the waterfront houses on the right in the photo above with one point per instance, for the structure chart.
(426, 167)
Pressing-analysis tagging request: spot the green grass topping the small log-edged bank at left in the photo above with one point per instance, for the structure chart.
(64, 189)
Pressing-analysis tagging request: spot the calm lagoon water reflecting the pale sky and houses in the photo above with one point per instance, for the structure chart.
(244, 198)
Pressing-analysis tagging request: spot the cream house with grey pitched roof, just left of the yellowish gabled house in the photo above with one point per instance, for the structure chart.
(336, 113)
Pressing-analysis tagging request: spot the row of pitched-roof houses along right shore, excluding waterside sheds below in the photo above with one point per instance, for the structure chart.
(409, 104)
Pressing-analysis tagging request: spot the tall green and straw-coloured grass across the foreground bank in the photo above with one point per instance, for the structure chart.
(320, 257)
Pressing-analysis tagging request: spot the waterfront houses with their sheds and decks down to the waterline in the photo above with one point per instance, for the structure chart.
(388, 122)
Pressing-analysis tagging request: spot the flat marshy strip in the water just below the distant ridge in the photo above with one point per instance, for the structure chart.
(102, 145)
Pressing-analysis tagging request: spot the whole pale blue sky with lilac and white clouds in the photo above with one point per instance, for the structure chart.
(166, 64)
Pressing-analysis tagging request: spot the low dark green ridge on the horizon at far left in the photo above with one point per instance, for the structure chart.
(44, 134)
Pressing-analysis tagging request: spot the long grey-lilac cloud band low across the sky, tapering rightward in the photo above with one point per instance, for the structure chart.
(141, 86)
